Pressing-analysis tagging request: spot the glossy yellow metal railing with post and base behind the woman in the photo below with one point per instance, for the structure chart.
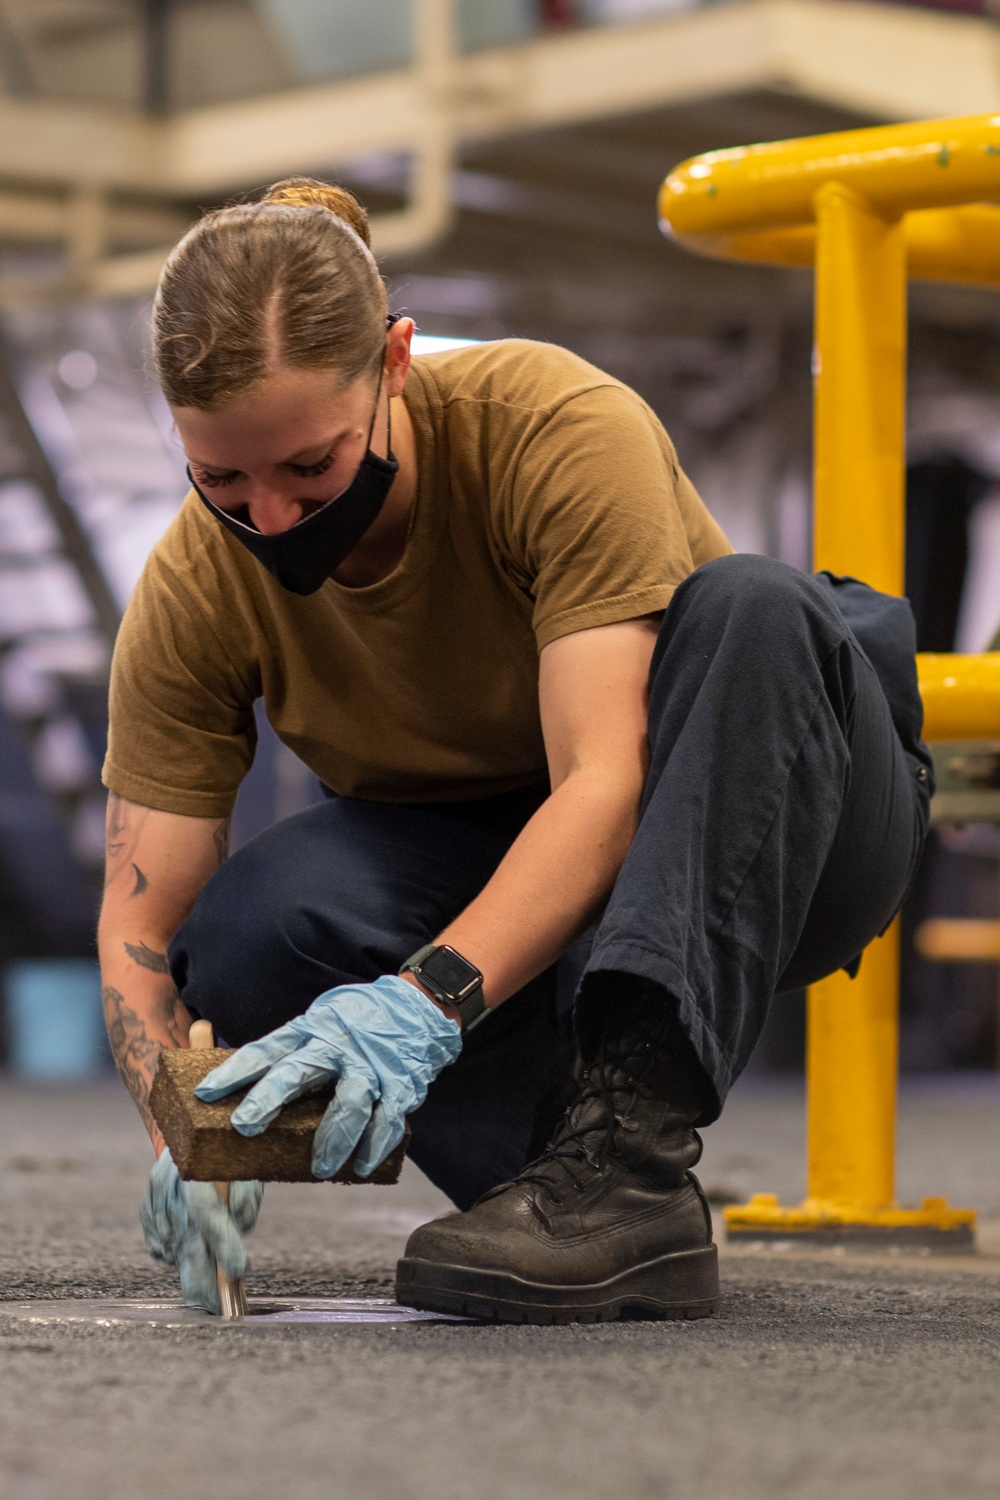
(867, 209)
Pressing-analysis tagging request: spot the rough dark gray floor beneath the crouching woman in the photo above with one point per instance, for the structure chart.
(822, 1378)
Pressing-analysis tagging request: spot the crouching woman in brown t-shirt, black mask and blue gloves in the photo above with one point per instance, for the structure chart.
(593, 782)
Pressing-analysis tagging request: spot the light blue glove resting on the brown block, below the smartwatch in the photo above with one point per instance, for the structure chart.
(383, 1043)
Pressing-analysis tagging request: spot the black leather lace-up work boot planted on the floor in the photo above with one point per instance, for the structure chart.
(606, 1222)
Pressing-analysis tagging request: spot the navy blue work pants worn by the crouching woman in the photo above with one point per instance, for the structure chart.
(783, 817)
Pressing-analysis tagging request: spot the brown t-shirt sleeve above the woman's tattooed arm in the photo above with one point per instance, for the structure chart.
(182, 731)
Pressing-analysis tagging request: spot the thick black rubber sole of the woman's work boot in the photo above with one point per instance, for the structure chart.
(678, 1286)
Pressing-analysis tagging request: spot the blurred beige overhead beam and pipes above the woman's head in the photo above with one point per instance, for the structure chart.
(116, 187)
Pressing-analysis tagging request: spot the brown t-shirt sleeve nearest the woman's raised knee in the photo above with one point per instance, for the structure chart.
(594, 515)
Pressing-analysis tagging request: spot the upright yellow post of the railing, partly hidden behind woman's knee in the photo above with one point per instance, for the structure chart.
(860, 518)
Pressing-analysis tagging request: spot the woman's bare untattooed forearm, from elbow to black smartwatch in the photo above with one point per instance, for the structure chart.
(551, 886)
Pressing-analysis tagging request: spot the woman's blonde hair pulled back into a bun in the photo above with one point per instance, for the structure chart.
(289, 281)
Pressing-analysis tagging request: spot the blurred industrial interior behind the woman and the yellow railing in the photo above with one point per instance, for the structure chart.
(509, 154)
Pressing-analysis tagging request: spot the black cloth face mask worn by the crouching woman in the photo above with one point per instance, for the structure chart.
(304, 557)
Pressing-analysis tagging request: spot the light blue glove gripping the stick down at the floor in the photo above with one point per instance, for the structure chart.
(187, 1225)
